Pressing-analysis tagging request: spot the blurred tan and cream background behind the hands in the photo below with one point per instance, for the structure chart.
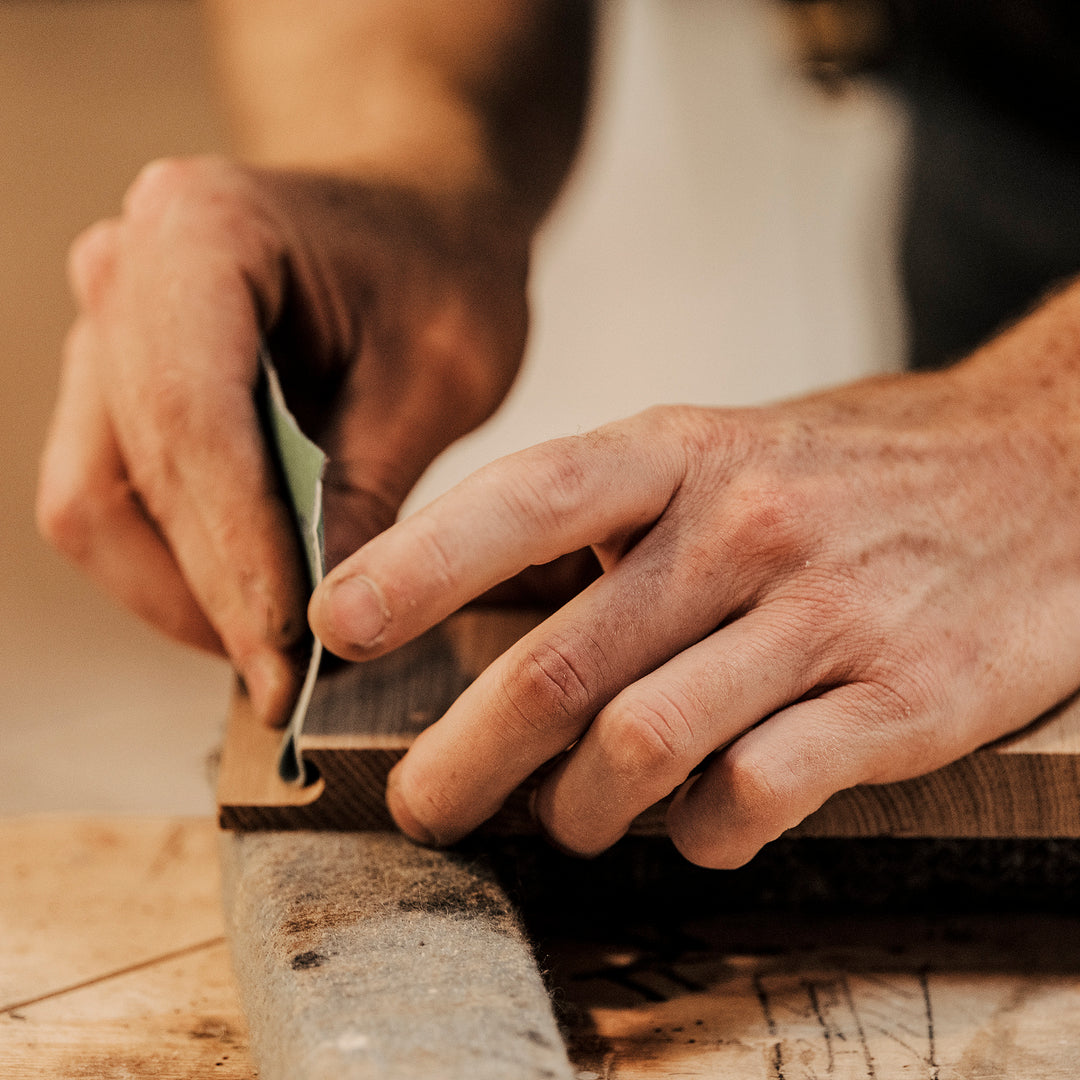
(727, 238)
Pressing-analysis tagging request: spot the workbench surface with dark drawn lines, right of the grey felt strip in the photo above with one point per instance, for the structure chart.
(820, 1000)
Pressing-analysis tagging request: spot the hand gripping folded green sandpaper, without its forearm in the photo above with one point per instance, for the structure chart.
(398, 325)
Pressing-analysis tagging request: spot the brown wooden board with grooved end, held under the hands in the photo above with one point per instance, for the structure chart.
(364, 717)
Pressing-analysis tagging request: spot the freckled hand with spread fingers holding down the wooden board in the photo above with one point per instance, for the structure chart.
(856, 588)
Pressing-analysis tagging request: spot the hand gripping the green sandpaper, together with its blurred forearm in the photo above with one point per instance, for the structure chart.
(407, 154)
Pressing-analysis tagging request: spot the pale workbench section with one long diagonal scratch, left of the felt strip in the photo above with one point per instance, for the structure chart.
(114, 955)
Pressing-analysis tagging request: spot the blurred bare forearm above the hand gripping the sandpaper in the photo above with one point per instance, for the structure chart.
(479, 100)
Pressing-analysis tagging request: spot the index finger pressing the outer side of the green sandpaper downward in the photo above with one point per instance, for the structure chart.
(179, 370)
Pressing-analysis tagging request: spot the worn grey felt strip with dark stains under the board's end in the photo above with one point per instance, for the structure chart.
(360, 955)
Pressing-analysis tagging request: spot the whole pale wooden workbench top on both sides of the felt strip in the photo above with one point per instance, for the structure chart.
(115, 966)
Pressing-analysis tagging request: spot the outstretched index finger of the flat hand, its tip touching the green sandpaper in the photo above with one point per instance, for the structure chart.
(523, 510)
